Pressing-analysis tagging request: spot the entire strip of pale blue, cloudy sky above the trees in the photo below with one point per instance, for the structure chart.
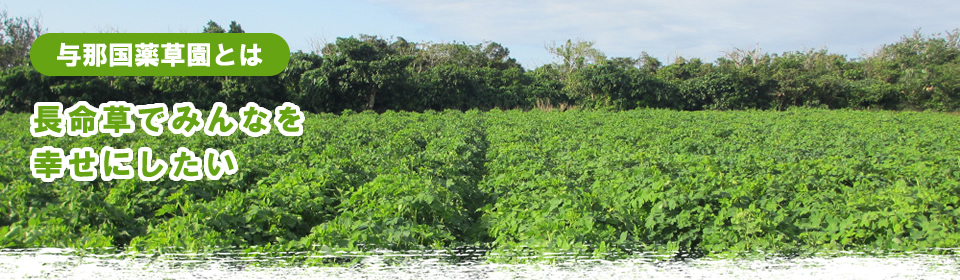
(664, 29)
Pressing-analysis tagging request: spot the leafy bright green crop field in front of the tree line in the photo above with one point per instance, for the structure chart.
(707, 182)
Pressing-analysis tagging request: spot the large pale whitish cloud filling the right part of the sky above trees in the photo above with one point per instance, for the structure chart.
(692, 28)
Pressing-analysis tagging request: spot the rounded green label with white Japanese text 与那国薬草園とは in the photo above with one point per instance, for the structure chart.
(159, 54)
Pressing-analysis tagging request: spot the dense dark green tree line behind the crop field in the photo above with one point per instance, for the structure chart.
(919, 72)
